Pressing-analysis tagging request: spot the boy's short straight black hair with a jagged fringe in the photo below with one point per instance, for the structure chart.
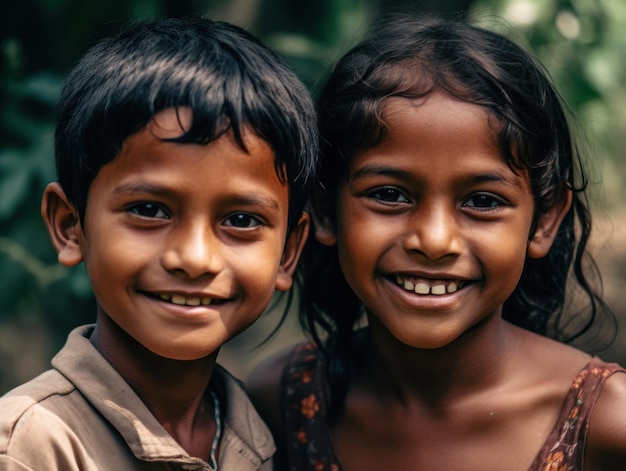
(225, 74)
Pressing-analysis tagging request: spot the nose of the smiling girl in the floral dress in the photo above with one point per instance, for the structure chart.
(435, 232)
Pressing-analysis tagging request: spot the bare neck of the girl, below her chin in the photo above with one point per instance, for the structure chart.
(475, 361)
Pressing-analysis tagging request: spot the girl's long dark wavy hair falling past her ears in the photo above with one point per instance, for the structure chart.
(409, 57)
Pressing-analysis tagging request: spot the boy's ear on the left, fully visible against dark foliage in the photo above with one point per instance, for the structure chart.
(63, 225)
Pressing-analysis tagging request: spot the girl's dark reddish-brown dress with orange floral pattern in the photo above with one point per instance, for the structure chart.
(309, 445)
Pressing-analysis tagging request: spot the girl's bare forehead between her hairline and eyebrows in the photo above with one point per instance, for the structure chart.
(438, 138)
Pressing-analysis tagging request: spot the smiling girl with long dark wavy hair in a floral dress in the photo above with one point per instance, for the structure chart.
(449, 214)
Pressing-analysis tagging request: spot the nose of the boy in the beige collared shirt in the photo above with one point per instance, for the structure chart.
(194, 251)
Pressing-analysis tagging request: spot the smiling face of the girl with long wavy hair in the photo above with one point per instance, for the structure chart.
(433, 227)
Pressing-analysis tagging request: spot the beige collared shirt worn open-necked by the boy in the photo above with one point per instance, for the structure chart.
(81, 415)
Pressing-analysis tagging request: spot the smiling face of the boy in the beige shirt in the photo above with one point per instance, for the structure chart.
(185, 244)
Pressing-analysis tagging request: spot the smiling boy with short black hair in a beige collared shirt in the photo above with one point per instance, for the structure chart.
(184, 148)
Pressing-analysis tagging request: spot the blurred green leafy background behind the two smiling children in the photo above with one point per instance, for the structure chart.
(581, 42)
